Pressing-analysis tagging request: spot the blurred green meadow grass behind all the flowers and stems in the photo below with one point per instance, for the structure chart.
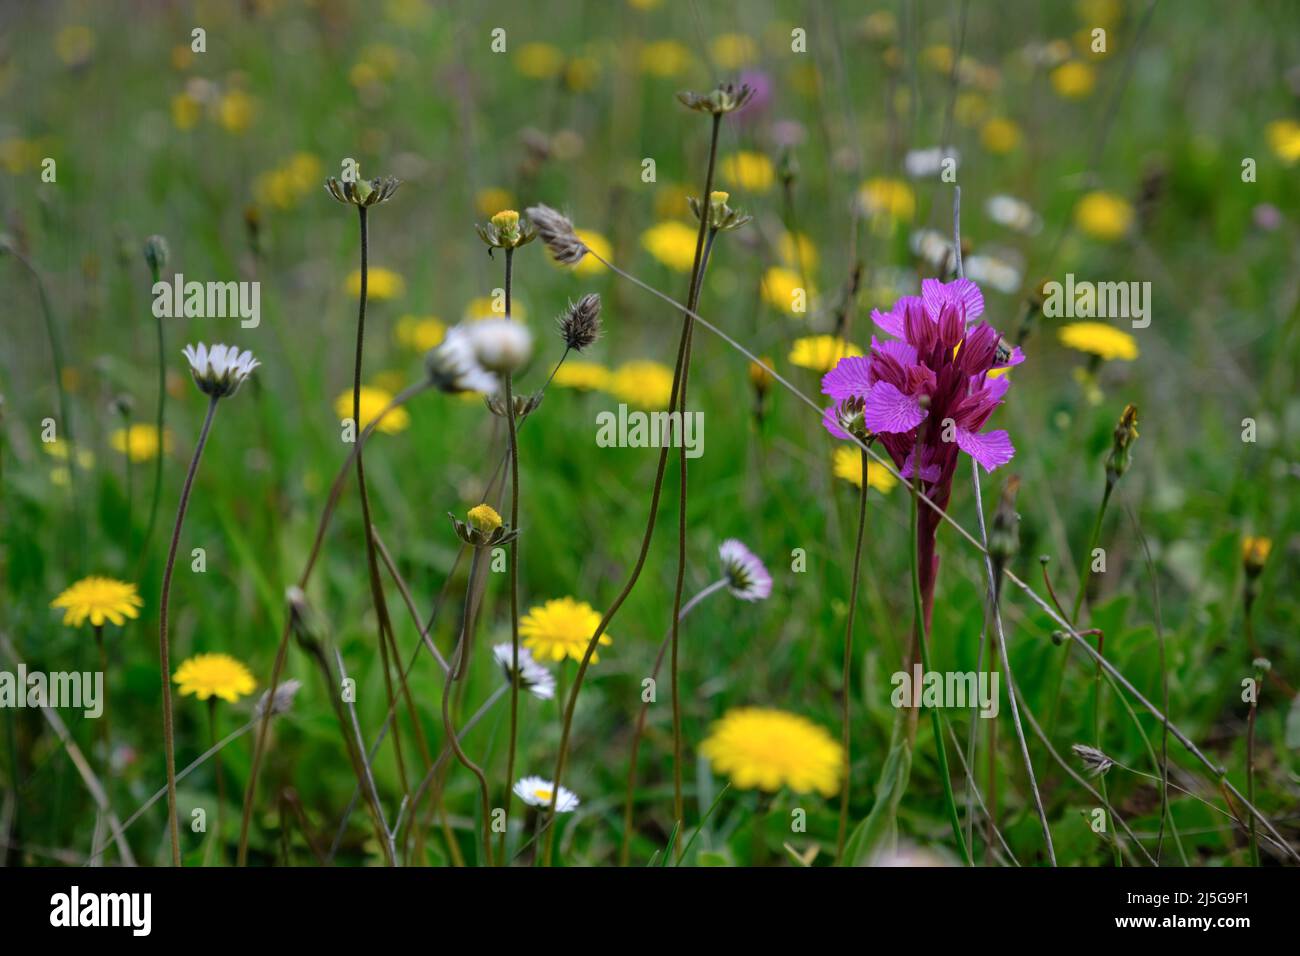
(414, 90)
